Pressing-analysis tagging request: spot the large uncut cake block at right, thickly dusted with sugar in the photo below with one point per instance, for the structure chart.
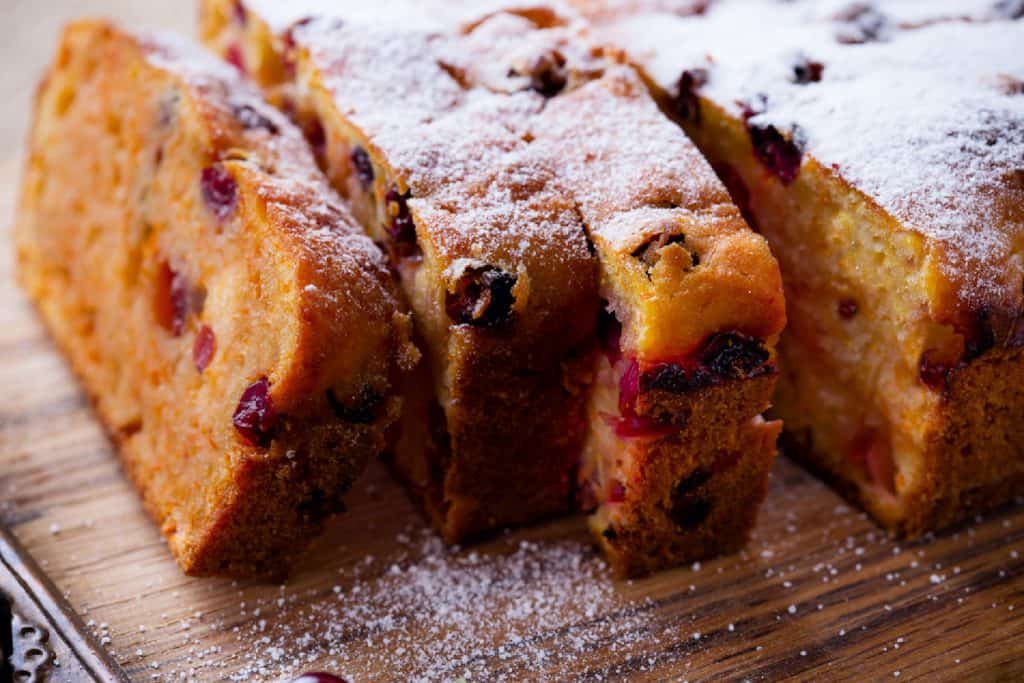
(881, 151)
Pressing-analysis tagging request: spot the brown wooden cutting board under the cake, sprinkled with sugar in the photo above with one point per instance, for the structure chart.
(820, 593)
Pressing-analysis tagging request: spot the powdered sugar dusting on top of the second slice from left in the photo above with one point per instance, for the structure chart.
(458, 146)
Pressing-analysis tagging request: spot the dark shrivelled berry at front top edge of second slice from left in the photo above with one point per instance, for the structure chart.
(483, 297)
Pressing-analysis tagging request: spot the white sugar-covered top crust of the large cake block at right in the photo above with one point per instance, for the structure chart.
(917, 106)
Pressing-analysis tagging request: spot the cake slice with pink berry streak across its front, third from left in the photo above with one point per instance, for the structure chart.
(677, 456)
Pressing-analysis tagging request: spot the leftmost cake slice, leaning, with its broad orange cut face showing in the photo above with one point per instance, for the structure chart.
(240, 337)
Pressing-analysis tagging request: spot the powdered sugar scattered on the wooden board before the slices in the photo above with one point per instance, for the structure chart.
(437, 615)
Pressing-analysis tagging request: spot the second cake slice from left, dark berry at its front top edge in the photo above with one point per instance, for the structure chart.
(489, 247)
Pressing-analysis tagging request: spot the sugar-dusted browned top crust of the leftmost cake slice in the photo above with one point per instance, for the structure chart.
(348, 285)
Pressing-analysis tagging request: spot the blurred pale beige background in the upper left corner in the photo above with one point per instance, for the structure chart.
(31, 34)
